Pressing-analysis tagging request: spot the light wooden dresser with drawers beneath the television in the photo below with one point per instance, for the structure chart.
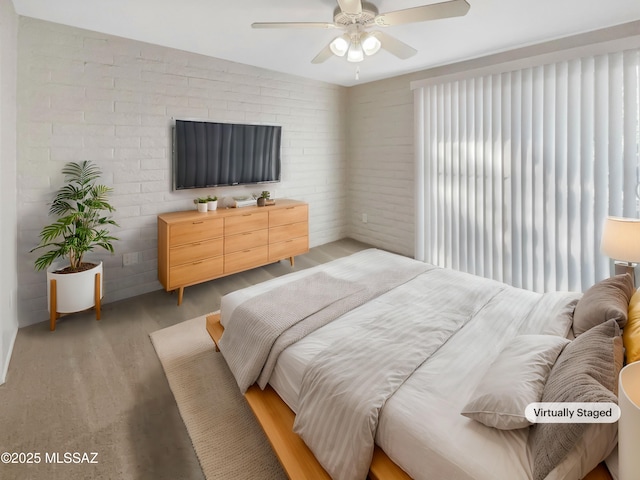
(196, 247)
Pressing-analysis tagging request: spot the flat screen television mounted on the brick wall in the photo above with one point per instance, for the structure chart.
(211, 154)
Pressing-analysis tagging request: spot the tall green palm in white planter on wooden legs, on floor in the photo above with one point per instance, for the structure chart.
(82, 208)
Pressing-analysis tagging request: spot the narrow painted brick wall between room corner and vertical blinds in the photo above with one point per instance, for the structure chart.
(381, 164)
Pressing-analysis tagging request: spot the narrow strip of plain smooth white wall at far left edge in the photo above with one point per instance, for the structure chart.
(8, 231)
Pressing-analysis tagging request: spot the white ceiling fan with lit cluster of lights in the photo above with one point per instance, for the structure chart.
(356, 18)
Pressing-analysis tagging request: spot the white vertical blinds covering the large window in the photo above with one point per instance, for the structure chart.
(517, 171)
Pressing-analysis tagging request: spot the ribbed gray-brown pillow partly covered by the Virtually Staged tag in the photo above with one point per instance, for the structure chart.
(586, 371)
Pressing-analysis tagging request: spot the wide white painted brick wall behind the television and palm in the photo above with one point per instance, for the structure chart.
(85, 95)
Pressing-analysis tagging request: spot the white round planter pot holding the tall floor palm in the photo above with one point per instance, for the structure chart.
(75, 291)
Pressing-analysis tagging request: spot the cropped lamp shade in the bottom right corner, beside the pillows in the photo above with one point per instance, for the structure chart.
(629, 423)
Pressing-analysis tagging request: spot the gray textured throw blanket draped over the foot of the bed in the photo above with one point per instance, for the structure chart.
(291, 311)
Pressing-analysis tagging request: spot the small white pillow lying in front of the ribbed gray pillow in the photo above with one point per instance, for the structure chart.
(515, 379)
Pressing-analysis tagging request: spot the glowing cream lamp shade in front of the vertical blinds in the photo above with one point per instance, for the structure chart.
(621, 239)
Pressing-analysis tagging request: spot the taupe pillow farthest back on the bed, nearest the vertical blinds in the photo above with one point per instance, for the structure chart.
(605, 300)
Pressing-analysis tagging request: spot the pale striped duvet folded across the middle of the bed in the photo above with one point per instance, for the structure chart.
(345, 387)
